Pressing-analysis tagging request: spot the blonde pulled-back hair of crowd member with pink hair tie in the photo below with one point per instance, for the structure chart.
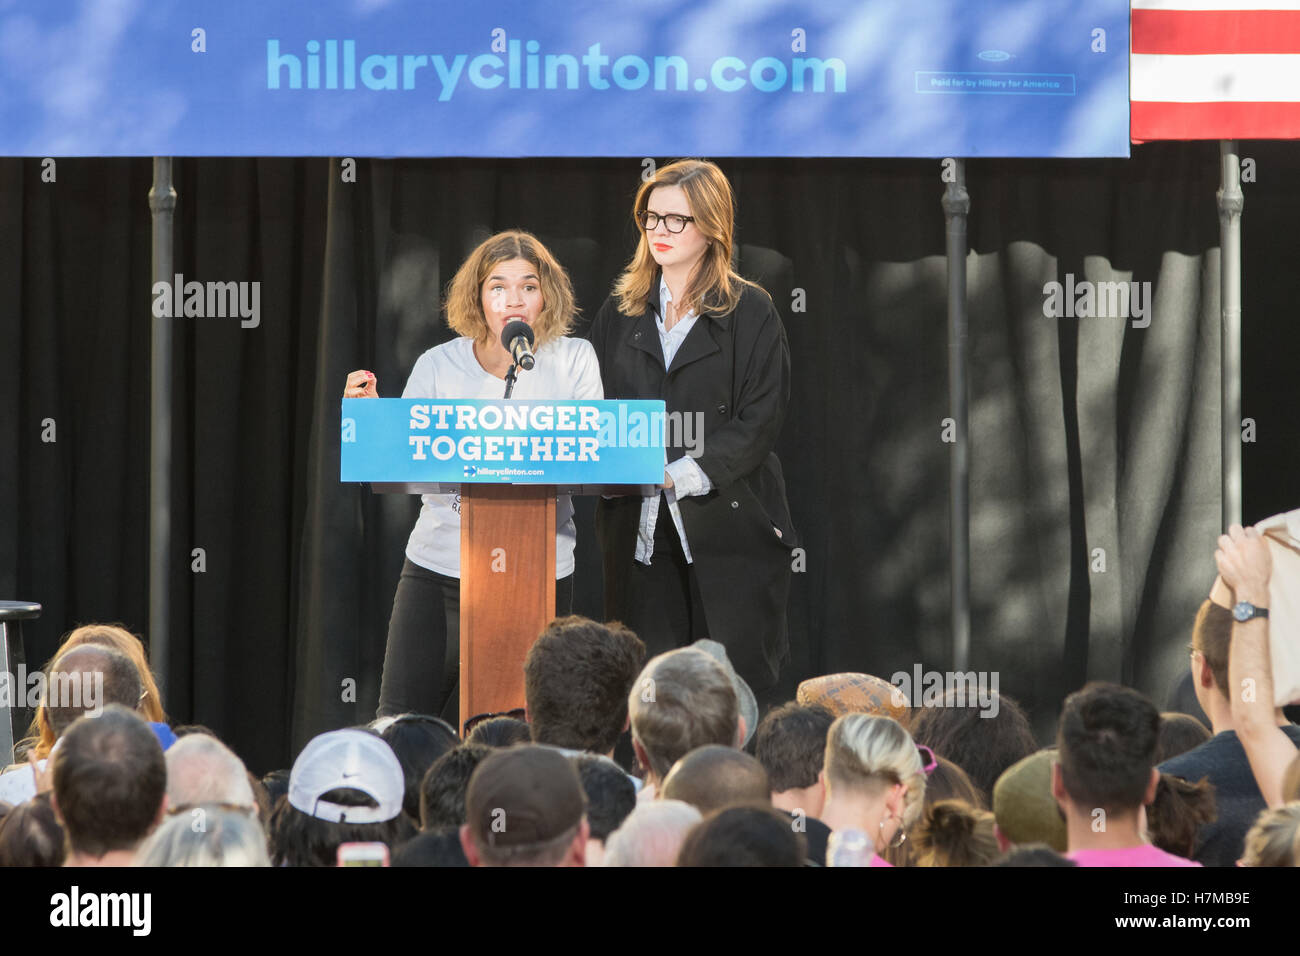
(873, 754)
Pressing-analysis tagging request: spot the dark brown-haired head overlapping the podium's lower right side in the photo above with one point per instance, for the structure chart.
(578, 677)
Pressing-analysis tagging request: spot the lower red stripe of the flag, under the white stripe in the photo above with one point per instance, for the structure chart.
(1214, 122)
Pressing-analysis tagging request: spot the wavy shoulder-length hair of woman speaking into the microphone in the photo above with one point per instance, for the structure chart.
(465, 304)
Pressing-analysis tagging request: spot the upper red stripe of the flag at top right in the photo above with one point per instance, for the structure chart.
(1216, 32)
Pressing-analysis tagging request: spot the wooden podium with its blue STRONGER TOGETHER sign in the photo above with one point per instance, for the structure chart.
(508, 508)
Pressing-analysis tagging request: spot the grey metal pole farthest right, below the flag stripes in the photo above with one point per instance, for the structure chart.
(1230, 202)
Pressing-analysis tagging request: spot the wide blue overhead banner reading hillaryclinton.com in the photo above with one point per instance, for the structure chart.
(565, 79)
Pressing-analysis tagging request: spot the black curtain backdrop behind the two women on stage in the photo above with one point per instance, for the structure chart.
(1086, 434)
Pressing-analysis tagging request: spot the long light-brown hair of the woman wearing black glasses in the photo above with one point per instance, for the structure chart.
(714, 287)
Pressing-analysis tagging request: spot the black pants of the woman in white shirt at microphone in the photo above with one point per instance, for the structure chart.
(422, 663)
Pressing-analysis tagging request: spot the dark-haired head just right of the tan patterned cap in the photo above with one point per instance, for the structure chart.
(981, 741)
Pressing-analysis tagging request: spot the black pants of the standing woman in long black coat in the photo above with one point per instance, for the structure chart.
(665, 608)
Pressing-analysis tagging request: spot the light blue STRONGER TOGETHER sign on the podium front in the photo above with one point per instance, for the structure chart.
(517, 442)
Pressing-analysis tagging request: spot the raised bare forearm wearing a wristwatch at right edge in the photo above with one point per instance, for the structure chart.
(1268, 738)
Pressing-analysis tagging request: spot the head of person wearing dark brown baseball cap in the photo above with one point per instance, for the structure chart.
(526, 808)
